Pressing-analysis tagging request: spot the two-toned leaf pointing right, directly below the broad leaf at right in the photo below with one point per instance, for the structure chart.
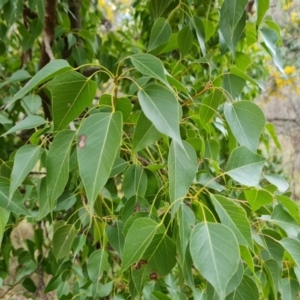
(245, 166)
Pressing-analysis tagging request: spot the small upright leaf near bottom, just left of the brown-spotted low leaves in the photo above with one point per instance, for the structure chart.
(97, 264)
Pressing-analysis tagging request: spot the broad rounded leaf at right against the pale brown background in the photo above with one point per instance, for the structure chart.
(246, 121)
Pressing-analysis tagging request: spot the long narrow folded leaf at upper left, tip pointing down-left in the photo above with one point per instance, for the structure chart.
(52, 69)
